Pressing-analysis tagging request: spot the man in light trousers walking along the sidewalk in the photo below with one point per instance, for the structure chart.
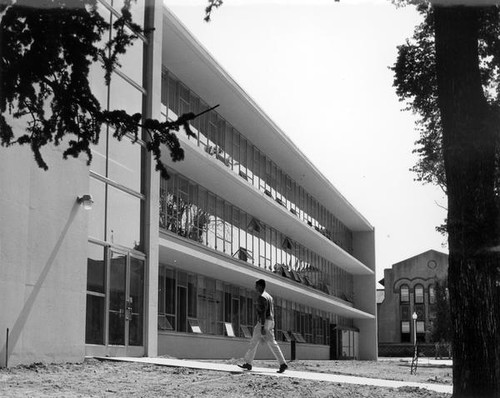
(264, 329)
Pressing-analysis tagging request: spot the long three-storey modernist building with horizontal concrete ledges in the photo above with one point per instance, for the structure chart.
(168, 266)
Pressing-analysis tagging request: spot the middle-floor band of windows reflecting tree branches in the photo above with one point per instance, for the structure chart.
(194, 213)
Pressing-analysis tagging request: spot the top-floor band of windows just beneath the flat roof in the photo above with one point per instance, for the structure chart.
(227, 145)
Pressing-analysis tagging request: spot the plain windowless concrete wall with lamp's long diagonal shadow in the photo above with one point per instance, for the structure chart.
(43, 253)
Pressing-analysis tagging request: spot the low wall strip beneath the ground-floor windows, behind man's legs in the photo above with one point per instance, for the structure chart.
(194, 346)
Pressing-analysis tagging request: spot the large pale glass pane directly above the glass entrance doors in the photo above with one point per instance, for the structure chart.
(124, 219)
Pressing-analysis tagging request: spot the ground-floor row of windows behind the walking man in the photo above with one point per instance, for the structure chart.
(193, 303)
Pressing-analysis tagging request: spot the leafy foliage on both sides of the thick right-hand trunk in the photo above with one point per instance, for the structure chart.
(416, 84)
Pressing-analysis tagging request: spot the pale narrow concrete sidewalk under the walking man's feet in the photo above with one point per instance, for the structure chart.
(334, 378)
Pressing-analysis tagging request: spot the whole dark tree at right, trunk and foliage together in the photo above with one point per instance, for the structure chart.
(449, 74)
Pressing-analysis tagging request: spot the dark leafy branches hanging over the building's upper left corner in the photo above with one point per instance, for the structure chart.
(46, 48)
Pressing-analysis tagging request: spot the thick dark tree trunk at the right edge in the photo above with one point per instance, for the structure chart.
(469, 145)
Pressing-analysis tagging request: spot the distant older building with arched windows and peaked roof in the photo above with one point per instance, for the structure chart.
(409, 287)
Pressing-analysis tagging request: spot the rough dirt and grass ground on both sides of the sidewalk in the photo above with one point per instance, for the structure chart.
(95, 378)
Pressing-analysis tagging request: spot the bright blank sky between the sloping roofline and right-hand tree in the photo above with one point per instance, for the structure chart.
(320, 70)
